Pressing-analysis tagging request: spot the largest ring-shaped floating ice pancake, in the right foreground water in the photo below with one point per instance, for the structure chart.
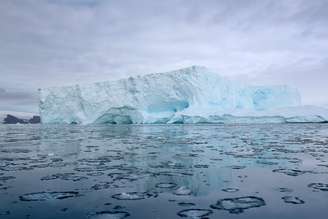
(238, 205)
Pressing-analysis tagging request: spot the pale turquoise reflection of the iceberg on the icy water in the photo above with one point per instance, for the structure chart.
(200, 160)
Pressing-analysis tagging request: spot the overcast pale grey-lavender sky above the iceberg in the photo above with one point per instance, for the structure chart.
(47, 43)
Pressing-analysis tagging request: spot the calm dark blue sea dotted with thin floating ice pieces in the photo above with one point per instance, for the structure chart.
(164, 171)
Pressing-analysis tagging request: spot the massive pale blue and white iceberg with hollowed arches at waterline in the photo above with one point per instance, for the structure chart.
(189, 95)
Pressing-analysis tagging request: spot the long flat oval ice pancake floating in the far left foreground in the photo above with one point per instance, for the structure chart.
(44, 196)
